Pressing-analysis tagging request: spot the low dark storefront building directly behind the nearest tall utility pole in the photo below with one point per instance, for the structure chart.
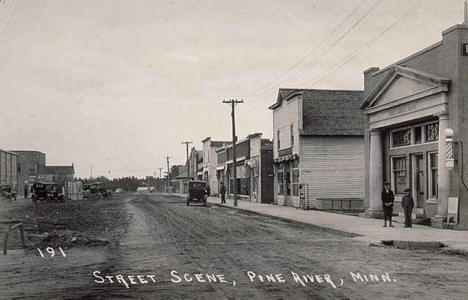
(254, 169)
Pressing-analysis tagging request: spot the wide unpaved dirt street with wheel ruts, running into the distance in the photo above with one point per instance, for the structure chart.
(163, 235)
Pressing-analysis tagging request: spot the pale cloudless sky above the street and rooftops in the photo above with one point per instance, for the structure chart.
(119, 84)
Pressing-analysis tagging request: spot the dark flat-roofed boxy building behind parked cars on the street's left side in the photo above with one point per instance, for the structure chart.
(31, 167)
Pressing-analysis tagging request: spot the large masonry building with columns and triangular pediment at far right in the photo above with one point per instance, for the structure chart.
(416, 131)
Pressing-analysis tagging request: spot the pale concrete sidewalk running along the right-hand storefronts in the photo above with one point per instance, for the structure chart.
(368, 230)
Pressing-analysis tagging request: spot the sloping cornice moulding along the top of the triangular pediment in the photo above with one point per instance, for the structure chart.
(404, 71)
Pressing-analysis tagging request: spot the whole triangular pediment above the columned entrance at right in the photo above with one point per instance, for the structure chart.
(402, 84)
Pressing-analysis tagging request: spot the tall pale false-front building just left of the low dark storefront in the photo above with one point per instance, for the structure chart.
(210, 162)
